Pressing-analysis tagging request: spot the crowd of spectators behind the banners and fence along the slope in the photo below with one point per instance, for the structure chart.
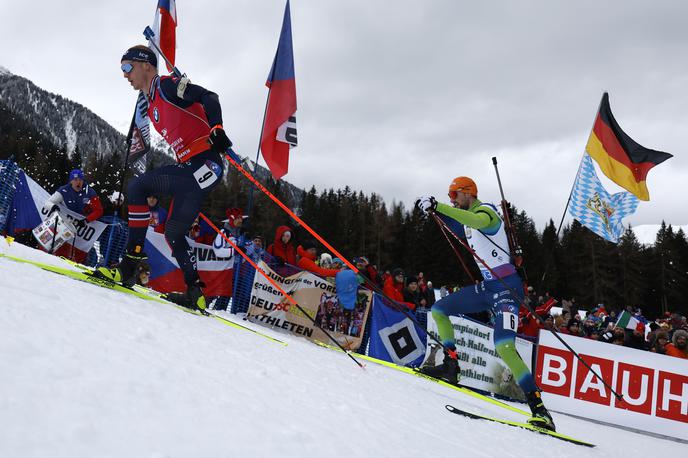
(666, 335)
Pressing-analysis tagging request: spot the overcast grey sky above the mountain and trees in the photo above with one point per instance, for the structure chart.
(399, 97)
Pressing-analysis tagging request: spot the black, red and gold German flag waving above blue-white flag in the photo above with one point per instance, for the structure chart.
(622, 159)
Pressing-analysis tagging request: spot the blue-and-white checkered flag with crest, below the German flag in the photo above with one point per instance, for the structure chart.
(594, 208)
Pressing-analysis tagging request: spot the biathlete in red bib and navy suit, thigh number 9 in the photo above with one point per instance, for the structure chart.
(189, 118)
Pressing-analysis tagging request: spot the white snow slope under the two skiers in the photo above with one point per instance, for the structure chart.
(85, 372)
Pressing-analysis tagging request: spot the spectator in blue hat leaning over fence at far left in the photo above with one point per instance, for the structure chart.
(79, 197)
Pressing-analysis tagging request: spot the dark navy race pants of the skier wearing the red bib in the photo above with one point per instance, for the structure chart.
(188, 183)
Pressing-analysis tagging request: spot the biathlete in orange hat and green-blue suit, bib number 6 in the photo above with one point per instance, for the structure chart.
(501, 290)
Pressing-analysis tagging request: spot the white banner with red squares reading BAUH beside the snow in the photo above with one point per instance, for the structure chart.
(654, 387)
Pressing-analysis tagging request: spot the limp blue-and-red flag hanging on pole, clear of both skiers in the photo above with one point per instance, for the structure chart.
(279, 127)
